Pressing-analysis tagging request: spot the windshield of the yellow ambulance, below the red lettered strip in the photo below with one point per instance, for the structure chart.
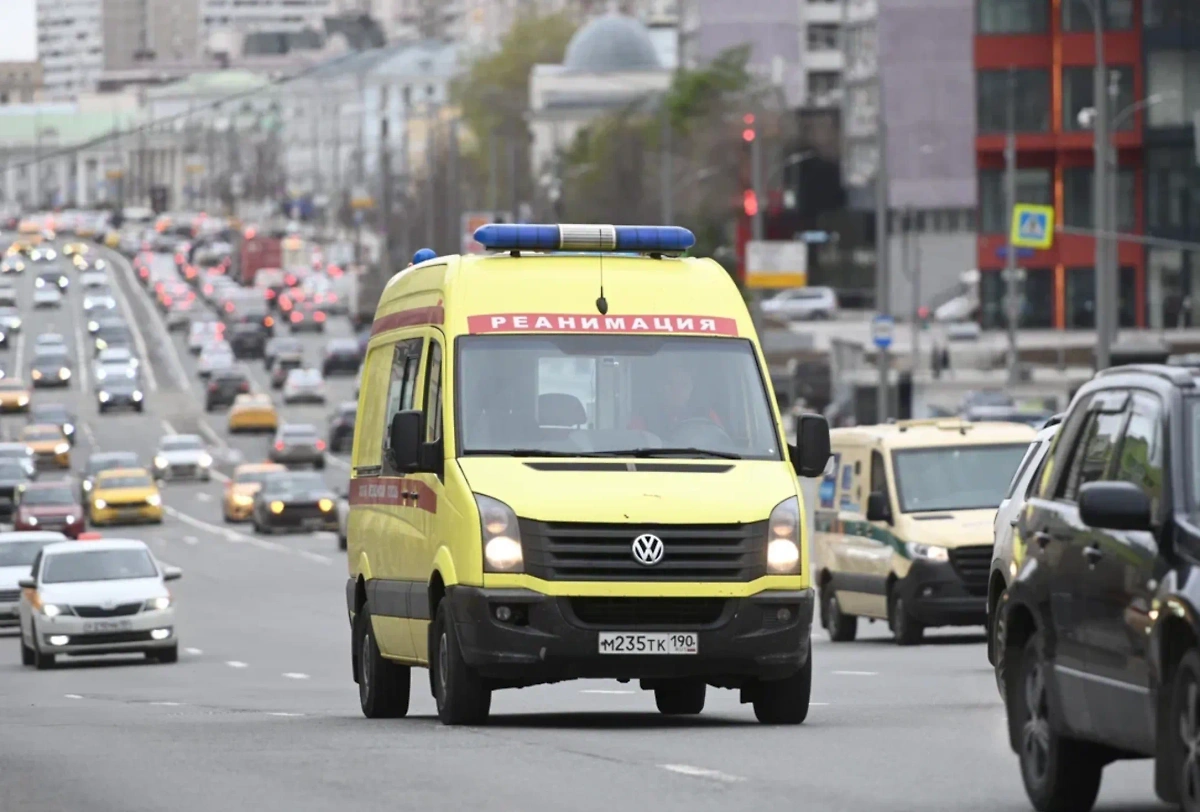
(614, 395)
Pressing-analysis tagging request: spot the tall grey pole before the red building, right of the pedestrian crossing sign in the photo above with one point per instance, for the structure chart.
(1100, 189)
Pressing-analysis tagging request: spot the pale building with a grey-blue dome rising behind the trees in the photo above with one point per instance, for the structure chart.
(610, 63)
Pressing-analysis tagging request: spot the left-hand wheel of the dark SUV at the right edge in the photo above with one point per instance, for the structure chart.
(1060, 774)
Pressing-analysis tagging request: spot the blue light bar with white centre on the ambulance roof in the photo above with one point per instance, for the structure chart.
(627, 239)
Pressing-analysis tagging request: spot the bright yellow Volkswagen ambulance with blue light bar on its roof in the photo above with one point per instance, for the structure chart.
(569, 464)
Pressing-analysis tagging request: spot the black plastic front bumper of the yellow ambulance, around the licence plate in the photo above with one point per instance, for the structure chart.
(751, 640)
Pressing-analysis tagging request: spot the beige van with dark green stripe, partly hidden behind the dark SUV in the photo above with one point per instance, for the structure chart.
(904, 524)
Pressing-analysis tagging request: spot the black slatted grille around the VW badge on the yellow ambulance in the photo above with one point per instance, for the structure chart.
(571, 551)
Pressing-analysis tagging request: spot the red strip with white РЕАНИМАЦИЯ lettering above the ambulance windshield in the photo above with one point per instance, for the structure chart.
(694, 326)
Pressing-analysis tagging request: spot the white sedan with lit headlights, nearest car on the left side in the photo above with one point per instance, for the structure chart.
(105, 597)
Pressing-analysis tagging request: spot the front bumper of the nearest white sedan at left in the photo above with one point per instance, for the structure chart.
(87, 636)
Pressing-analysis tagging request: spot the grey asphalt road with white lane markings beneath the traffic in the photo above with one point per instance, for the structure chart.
(262, 714)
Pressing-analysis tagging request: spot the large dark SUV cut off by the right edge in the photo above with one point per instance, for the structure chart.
(1097, 637)
